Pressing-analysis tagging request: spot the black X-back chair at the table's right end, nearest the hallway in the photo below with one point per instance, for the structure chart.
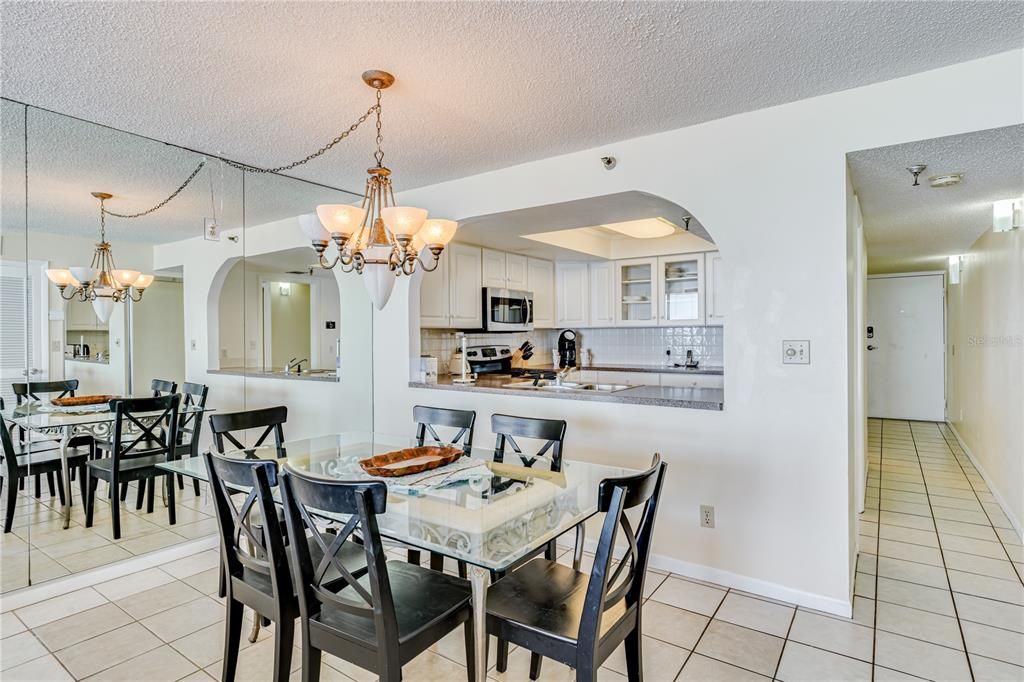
(580, 620)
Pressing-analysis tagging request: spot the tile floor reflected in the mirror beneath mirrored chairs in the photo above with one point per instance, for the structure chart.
(57, 551)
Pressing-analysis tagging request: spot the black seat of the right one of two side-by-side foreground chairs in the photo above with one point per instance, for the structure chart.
(422, 599)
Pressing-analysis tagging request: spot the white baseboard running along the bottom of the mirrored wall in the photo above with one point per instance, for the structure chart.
(60, 586)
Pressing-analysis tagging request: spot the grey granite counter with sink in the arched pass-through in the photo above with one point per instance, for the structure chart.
(667, 397)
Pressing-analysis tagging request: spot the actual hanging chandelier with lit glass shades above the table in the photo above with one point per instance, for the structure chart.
(377, 239)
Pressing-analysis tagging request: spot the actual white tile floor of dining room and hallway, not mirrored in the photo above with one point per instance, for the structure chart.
(938, 596)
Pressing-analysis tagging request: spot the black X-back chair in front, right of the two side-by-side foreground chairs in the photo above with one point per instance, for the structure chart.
(379, 621)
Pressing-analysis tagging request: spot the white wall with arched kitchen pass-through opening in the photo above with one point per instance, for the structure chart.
(771, 188)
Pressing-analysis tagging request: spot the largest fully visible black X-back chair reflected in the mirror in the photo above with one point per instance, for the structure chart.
(138, 446)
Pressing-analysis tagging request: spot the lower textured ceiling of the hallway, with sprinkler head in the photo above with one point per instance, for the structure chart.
(917, 229)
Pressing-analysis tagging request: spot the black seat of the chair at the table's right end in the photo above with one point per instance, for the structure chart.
(547, 598)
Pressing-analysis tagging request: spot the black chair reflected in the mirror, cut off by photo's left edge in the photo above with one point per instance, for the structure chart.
(22, 459)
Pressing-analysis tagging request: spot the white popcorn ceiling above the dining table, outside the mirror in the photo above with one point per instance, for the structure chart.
(482, 86)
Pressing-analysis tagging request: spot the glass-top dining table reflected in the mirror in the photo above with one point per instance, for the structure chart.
(65, 424)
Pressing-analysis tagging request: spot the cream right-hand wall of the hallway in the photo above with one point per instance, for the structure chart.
(986, 355)
